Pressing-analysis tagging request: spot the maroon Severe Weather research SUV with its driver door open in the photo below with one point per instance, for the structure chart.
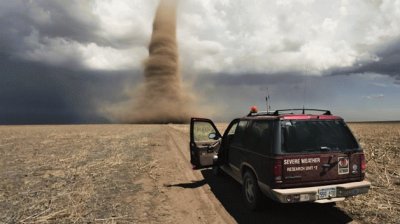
(289, 157)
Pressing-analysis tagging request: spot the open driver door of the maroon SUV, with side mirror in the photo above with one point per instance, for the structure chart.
(205, 141)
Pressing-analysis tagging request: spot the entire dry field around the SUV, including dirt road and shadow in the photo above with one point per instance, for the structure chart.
(141, 173)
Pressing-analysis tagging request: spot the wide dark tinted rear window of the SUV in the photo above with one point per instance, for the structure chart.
(313, 136)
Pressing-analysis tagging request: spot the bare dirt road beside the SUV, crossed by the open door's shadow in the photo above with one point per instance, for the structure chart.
(184, 192)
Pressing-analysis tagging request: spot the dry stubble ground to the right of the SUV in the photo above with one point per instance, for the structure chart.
(381, 144)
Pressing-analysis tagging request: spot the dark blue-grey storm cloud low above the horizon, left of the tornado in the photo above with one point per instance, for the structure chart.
(36, 93)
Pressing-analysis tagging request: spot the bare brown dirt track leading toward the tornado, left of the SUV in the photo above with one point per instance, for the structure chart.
(177, 194)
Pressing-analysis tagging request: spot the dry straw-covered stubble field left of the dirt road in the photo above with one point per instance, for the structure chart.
(72, 174)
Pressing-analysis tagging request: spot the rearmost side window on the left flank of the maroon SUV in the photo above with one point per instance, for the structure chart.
(259, 137)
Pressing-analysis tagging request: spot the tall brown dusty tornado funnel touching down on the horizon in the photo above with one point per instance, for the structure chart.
(162, 98)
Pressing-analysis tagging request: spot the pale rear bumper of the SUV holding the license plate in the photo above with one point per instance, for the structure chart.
(315, 194)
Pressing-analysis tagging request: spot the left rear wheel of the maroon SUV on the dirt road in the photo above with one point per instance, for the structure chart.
(251, 191)
